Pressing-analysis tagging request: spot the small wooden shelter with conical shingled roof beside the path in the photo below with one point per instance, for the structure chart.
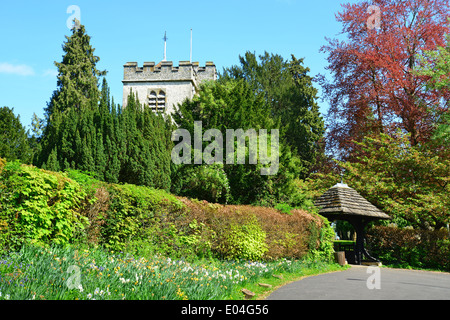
(341, 202)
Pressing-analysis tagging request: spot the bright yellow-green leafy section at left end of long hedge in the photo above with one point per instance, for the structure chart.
(38, 206)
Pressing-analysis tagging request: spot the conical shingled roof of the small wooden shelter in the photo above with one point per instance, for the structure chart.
(341, 200)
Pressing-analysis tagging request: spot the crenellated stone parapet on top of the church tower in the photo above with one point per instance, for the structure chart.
(165, 71)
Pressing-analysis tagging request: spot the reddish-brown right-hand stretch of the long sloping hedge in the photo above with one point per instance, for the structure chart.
(286, 235)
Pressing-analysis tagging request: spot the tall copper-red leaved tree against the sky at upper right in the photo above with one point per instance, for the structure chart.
(373, 89)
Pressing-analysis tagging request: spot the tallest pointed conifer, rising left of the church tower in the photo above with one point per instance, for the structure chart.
(69, 115)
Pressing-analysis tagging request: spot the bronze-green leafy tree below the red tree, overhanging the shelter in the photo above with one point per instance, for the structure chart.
(410, 183)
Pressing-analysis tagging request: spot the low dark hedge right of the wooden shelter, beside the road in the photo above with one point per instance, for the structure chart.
(410, 248)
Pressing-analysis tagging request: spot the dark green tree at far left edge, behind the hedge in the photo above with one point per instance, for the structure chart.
(14, 142)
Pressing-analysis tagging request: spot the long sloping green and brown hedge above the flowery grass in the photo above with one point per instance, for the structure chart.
(45, 207)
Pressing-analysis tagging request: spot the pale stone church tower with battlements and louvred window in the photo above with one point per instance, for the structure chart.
(163, 86)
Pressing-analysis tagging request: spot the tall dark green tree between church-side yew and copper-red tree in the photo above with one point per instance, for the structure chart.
(289, 91)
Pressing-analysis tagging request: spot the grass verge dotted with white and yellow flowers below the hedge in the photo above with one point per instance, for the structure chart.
(70, 273)
